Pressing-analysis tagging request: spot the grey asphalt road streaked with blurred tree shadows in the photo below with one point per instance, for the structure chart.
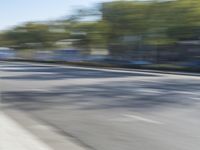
(108, 110)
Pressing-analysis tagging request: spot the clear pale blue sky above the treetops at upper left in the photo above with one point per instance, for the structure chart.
(15, 12)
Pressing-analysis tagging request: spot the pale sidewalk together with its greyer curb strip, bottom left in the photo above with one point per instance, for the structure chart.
(15, 136)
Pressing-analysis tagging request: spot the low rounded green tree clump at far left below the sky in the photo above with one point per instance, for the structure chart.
(31, 35)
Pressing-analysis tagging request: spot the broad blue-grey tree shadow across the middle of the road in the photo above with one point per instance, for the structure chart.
(132, 95)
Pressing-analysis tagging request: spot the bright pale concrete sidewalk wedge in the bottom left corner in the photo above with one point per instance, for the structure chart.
(14, 137)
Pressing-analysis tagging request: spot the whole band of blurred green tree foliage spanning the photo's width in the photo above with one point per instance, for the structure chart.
(151, 22)
